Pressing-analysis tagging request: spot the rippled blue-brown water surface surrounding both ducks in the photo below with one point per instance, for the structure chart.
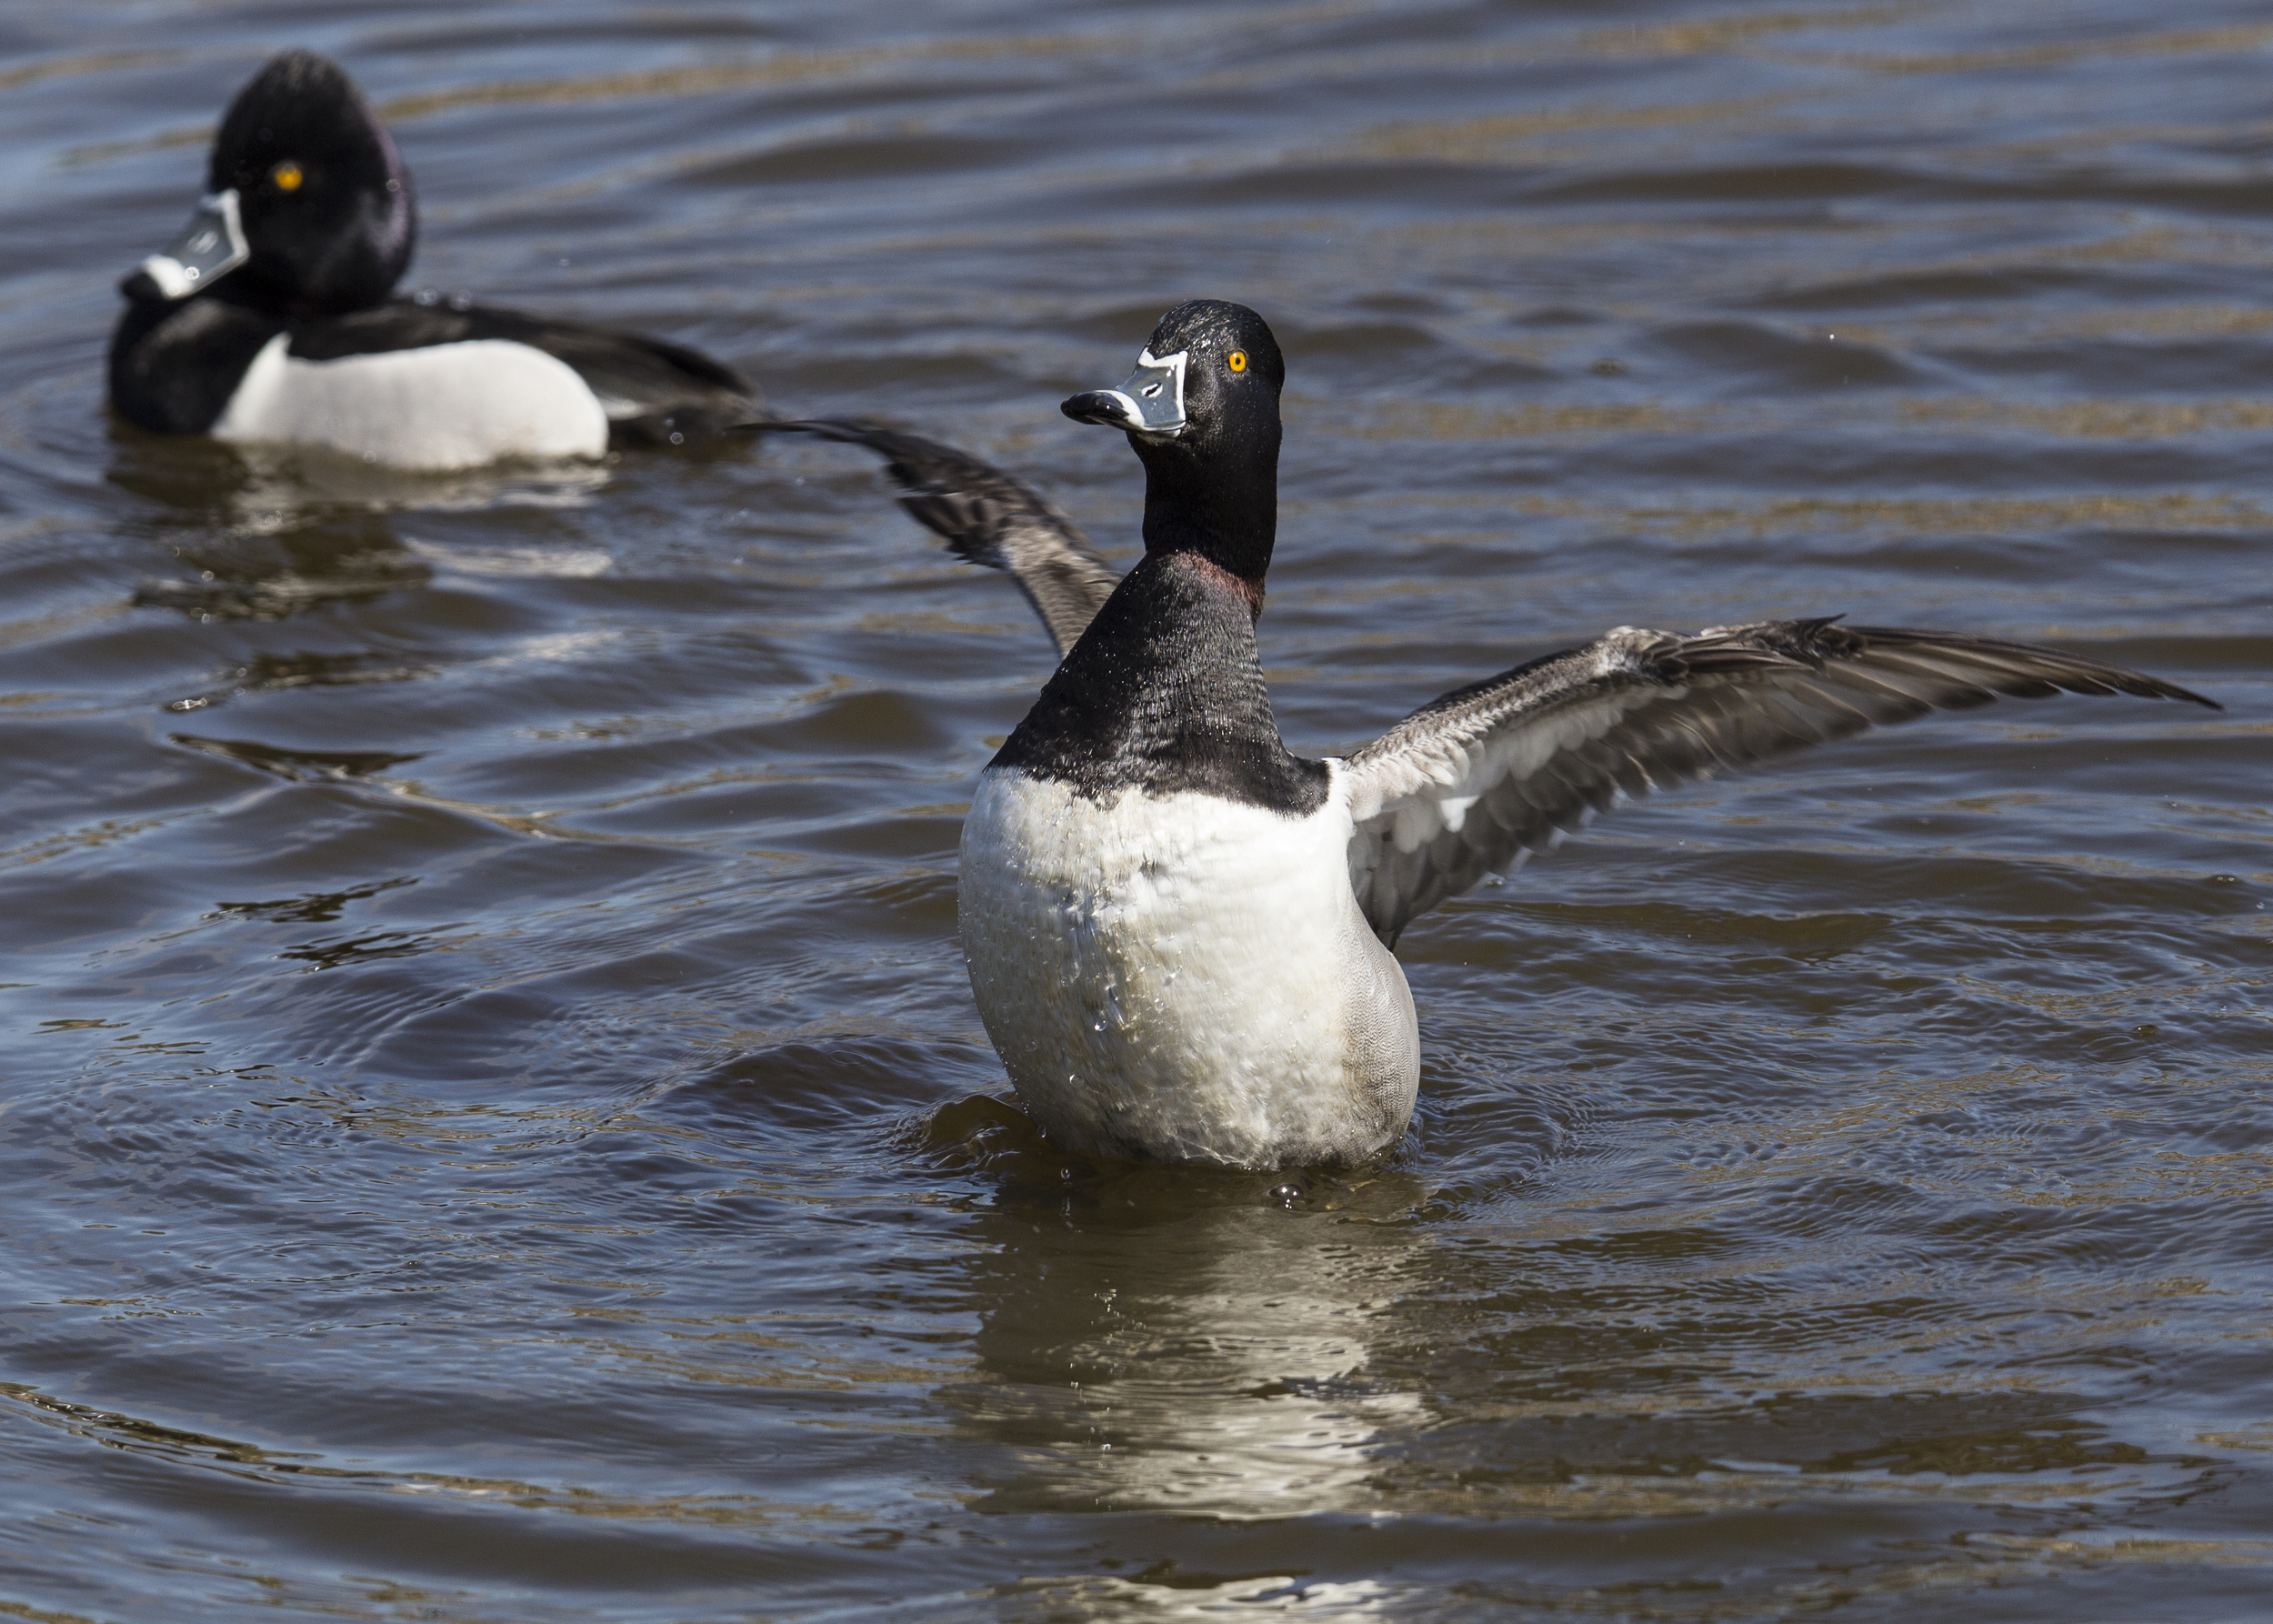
(494, 1125)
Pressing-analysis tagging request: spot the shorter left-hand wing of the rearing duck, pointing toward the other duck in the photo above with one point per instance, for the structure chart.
(985, 517)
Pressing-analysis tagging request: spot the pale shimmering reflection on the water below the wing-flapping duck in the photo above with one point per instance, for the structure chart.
(1179, 1339)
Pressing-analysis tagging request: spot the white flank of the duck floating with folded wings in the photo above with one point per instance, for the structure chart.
(449, 406)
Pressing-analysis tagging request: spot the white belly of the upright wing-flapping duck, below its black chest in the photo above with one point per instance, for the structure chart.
(1183, 977)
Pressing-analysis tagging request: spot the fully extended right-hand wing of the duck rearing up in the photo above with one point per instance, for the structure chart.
(1488, 774)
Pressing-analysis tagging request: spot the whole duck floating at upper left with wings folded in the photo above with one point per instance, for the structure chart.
(272, 317)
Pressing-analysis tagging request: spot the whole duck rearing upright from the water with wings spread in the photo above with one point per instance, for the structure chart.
(1181, 931)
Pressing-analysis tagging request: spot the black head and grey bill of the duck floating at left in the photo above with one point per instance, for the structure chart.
(308, 206)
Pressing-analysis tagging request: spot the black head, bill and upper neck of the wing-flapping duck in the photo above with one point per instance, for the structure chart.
(1201, 413)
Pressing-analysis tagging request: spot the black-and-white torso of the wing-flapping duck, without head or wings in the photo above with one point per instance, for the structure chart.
(1158, 904)
